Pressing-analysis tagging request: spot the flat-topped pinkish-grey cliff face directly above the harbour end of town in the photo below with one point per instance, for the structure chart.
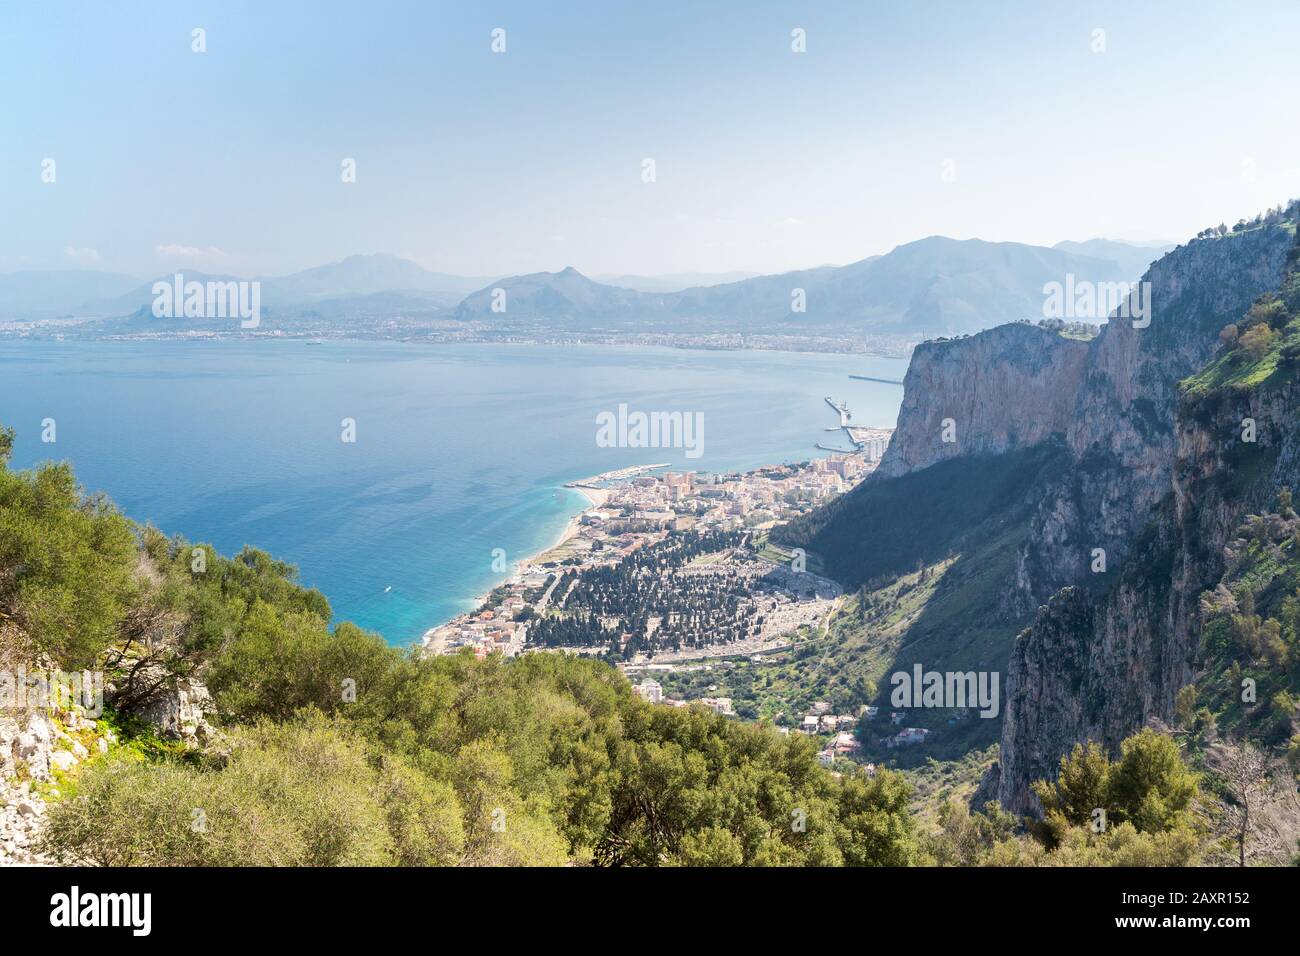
(1004, 390)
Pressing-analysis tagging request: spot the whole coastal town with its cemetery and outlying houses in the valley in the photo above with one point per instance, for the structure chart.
(665, 569)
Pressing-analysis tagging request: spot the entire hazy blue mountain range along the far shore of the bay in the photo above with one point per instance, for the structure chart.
(926, 288)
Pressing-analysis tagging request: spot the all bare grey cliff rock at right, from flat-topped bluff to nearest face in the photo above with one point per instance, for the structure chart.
(1159, 488)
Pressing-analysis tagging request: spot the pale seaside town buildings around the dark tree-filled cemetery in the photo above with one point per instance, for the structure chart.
(649, 508)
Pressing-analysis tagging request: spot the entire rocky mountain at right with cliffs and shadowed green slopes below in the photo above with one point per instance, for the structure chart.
(1058, 511)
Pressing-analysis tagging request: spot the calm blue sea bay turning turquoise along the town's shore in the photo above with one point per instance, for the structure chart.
(460, 449)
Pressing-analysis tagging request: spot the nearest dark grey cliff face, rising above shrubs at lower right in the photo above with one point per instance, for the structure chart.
(1097, 668)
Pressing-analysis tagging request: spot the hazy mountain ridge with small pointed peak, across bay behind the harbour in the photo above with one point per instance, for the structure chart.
(928, 288)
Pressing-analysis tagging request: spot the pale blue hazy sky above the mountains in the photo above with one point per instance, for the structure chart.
(1000, 120)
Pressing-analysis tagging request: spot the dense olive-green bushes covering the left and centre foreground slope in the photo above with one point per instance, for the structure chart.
(337, 750)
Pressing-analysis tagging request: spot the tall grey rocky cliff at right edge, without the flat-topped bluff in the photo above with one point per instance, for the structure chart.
(1171, 482)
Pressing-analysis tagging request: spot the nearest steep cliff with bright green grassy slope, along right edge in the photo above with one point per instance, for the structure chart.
(1100, 665)
